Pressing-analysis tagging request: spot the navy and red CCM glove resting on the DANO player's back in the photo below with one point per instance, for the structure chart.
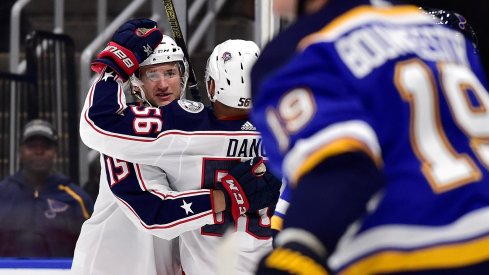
(249, 187)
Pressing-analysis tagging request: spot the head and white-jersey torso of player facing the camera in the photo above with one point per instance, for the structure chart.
(113, 235)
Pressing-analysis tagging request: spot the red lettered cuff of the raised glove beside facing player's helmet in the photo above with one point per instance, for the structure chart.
(120, 59)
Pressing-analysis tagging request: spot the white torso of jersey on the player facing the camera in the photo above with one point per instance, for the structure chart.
(110, 242)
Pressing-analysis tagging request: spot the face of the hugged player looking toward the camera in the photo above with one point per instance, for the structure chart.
(161, 83)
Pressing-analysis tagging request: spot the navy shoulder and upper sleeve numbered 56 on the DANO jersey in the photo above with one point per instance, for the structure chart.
(108, 114)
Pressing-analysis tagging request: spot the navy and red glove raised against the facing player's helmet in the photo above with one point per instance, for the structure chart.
(131, 44)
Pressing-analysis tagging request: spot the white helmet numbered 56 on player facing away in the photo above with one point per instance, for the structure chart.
(229, 66)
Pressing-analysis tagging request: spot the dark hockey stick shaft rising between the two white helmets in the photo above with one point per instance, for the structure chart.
(177, 35)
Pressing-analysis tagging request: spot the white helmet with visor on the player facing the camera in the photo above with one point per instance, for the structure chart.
(167, 51)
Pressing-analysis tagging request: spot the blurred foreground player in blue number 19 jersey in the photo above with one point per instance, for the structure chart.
(376, 115)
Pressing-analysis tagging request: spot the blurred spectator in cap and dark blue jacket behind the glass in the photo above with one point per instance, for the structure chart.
(41, 210)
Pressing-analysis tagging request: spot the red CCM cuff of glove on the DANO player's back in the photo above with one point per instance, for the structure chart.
(235, 195)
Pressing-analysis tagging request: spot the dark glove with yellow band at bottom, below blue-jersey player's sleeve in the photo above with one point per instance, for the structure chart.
(292, 258)
